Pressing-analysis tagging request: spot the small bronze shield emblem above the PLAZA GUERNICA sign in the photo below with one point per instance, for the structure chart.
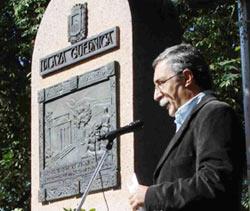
(77, 23)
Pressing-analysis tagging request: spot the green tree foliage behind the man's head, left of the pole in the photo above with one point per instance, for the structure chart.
(214, 30)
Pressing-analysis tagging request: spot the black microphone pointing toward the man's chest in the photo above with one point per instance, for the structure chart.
(138, 124)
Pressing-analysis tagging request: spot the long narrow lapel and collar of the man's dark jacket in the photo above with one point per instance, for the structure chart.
(177, 137)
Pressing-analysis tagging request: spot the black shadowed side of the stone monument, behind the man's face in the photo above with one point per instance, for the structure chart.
(155, 27)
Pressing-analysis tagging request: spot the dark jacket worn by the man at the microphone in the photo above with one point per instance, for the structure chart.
(201, 168)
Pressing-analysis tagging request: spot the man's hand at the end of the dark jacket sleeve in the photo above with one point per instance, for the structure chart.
(137, 199)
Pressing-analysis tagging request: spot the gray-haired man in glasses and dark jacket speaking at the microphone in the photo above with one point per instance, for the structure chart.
(201, 168)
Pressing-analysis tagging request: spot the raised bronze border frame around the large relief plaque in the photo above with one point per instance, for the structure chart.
(74, 84)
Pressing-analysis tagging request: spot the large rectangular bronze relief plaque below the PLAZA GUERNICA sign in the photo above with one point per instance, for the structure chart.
(72, 116)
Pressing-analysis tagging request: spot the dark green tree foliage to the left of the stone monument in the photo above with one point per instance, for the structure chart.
(19, 22)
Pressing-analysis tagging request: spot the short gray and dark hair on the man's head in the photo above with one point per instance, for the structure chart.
(184, 56)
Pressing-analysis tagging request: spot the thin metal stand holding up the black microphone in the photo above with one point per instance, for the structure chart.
(98, 168)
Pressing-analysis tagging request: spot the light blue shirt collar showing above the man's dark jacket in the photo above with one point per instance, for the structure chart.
(182, 113)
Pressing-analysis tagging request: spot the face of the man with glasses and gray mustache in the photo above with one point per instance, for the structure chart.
(169, 88)
